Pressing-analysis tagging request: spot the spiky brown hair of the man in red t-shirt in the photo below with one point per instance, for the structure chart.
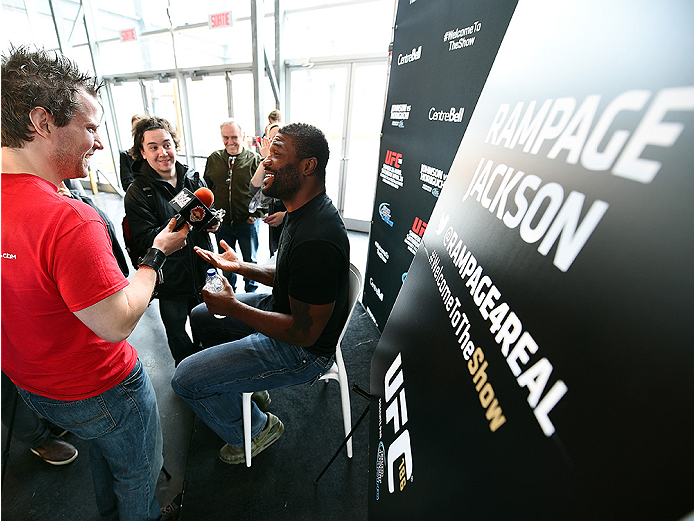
(39, 78)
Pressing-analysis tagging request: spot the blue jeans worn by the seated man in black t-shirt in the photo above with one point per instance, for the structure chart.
(240, 360)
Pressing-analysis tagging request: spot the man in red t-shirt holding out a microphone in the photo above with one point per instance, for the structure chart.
(66, 307)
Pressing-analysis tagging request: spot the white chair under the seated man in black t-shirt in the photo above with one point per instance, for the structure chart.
(336, 372)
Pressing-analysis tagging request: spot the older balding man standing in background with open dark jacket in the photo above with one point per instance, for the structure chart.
(228, 173)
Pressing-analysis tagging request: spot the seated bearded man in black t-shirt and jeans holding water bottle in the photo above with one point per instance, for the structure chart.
(284, 338)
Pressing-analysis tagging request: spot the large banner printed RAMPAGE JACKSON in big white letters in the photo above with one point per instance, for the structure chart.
(538, 361)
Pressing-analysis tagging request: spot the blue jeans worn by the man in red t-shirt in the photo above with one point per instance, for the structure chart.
(122, 428)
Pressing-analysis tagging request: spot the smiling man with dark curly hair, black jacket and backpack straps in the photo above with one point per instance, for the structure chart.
(158, 177)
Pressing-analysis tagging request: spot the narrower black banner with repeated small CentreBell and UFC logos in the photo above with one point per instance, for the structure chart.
(442, 53)
